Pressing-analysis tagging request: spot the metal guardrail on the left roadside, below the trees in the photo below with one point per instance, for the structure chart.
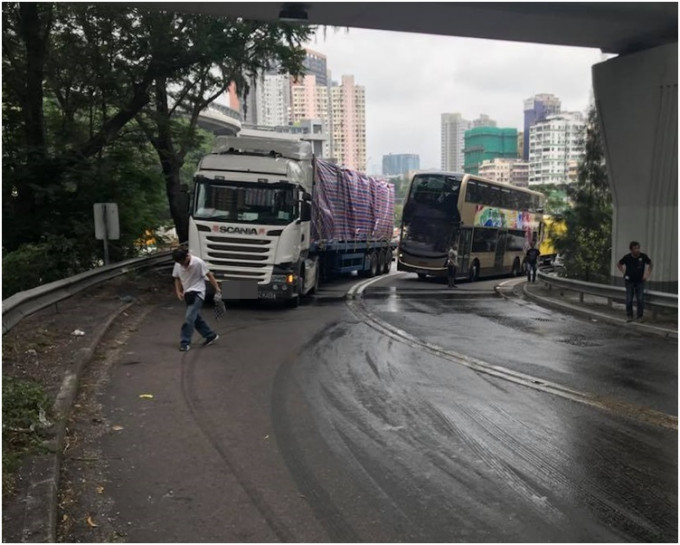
(27, 302)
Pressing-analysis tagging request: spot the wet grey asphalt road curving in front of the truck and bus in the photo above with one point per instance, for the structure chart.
(420, 418)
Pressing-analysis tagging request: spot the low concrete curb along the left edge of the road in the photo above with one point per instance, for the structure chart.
(42, 491)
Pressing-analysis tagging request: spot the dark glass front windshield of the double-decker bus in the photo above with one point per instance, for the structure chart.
(430, 214)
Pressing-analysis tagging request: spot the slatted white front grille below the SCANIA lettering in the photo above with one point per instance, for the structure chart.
(232, 258)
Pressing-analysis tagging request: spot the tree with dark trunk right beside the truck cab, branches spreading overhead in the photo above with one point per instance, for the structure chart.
(234, 50)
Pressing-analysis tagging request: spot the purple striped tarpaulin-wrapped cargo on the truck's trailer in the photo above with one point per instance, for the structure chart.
(350, 206)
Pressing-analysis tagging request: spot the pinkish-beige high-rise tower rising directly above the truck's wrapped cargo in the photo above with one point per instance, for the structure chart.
(348, 123)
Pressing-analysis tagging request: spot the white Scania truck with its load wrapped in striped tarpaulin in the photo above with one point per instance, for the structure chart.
(272, 221)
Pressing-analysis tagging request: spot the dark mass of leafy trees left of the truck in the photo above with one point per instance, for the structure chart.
(100, 104)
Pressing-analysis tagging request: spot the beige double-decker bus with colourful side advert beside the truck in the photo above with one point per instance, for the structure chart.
(491, 223)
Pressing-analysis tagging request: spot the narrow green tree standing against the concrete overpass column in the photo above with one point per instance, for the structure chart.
(586, 244)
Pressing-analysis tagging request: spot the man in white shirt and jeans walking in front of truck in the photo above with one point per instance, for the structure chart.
(190, 273)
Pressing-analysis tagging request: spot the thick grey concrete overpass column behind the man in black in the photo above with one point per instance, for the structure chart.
(637, 101)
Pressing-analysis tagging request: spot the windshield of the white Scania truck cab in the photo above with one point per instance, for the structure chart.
(271, 204)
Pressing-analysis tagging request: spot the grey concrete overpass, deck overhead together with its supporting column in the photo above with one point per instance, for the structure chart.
(636, 93)
